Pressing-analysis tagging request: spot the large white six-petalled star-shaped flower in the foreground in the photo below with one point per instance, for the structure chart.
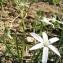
(46, 44)
